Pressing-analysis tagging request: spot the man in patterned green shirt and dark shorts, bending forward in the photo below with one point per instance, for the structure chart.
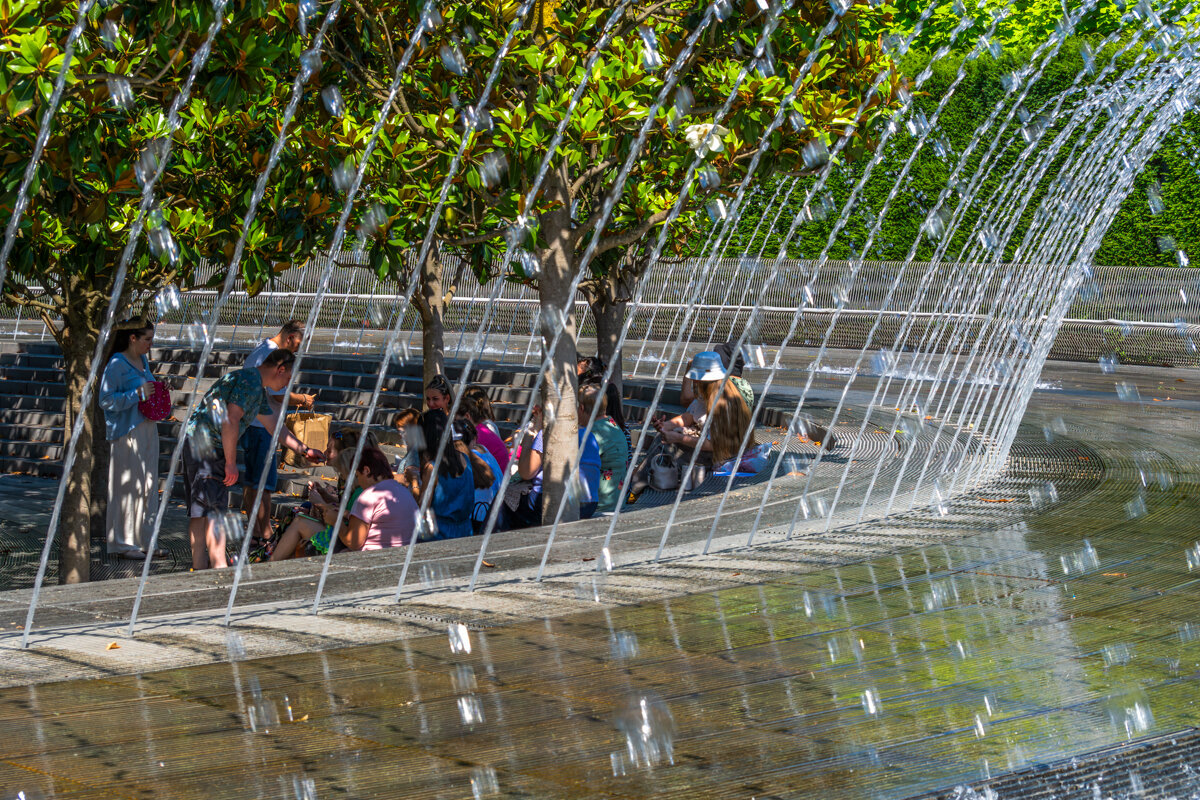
(211, 456)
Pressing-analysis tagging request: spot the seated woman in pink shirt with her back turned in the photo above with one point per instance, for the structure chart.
(386, 513)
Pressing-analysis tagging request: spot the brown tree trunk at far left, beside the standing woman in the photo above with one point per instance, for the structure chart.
(79, 346)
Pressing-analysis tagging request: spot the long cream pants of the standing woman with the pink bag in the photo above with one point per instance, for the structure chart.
(134, 489)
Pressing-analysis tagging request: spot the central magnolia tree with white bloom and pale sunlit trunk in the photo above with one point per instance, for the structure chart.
(487, 210)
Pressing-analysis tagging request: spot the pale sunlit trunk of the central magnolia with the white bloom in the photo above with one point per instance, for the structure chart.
(561, 437)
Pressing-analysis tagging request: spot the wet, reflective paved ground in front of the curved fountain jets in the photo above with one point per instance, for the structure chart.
(1030, 636)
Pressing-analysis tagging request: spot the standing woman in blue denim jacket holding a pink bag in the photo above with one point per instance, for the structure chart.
(134, 465)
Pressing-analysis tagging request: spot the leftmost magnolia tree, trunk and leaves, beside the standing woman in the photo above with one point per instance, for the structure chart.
(110, 133)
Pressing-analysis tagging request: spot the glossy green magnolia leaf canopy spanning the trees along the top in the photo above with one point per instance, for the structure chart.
(86, 194)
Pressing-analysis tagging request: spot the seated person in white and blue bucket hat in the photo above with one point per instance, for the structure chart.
(680, 437)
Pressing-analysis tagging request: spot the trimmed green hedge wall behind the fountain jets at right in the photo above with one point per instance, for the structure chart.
(1138, 237)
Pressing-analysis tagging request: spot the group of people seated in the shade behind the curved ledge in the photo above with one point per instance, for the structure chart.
(383, 509)
